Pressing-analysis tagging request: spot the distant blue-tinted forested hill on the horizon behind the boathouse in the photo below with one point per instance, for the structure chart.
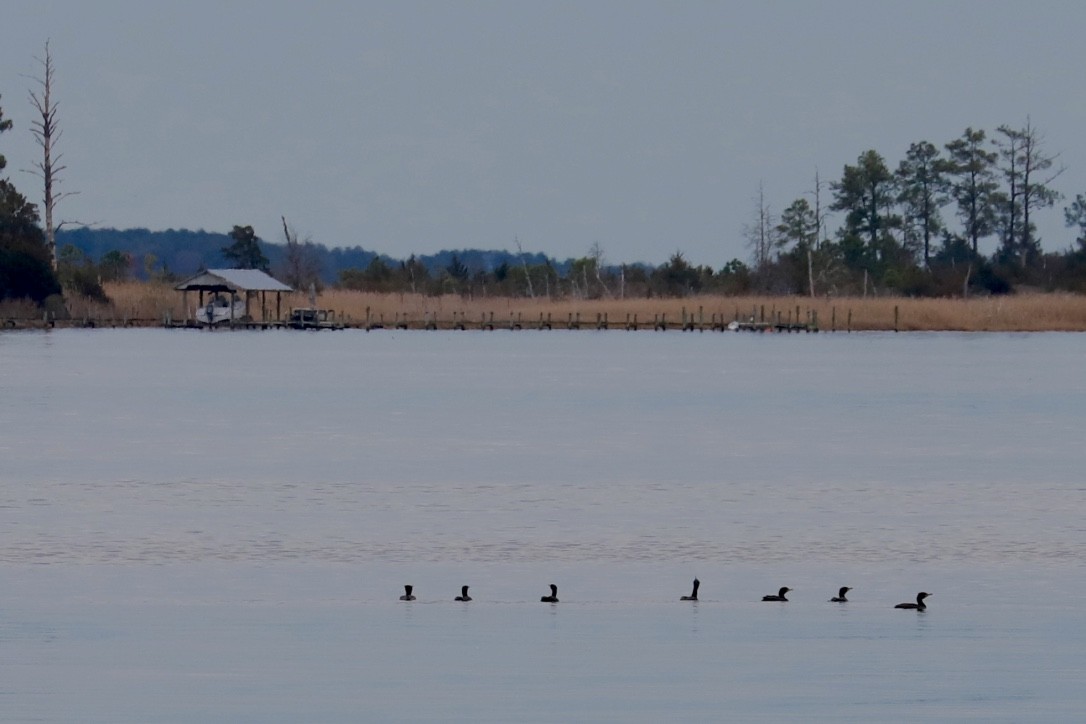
(182, 253)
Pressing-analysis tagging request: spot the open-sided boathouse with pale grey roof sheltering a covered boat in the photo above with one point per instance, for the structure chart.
(234, 296)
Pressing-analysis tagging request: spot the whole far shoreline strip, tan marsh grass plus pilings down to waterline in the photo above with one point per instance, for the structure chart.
(140, 304)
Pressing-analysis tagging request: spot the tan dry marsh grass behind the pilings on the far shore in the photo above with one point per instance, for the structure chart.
(151, 302)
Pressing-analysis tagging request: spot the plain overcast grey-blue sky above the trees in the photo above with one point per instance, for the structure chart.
(411, 128)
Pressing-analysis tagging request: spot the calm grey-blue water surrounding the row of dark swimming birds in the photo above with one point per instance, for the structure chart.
(216, 527)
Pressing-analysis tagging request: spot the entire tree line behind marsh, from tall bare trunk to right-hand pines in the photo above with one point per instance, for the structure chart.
(913, 230)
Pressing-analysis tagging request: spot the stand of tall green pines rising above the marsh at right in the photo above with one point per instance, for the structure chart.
(917, 228)
